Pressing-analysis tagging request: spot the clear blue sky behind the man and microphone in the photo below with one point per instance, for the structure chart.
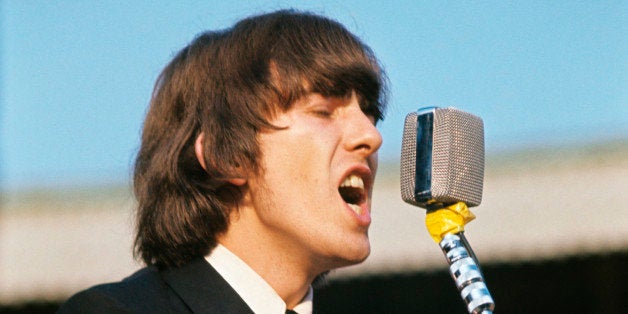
(76, 76)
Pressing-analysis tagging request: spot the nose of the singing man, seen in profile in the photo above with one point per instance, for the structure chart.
(363, 136)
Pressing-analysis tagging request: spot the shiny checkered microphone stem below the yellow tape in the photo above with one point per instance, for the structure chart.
(465, 270)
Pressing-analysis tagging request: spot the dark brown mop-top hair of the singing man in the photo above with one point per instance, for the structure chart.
(225, 85)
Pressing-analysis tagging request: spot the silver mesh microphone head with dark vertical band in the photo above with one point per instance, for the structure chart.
(442, 158)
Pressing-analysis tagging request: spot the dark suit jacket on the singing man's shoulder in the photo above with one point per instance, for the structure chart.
(193, 288)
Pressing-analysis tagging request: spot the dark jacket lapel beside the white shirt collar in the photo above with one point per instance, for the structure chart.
(200, 286)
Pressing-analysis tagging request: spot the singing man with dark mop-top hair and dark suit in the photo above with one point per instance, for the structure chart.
(255, 171)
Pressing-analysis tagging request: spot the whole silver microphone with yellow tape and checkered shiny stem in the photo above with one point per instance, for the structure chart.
(442, 167)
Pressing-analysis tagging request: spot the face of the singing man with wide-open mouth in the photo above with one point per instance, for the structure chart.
(313, 196)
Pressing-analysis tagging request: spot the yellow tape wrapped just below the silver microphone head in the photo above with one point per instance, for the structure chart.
(447, 220)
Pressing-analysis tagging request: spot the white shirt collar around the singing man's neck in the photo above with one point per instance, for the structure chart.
(251, 287)
